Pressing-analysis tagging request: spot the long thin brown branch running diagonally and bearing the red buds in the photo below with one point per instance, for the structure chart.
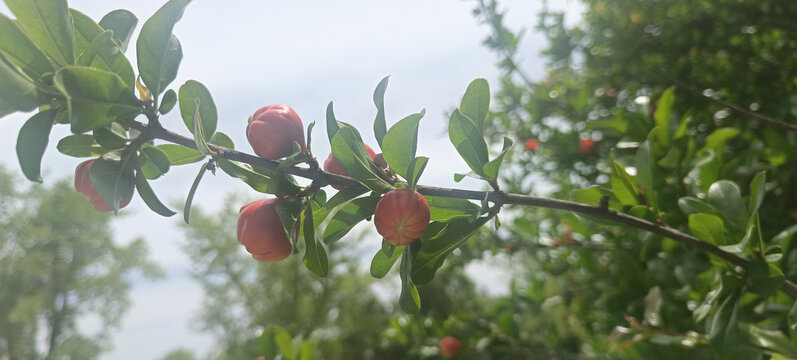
(496, 197)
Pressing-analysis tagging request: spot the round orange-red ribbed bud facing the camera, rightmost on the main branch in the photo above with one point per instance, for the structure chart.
(401, 216)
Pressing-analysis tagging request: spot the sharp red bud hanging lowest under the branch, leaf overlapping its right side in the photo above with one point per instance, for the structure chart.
(260, 231)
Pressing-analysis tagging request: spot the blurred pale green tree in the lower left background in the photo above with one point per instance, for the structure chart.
(60, 267)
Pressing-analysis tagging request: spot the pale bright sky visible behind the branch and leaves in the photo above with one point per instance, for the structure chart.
(304, 54)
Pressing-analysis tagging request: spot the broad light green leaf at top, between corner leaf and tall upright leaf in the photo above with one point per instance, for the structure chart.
(95, 48)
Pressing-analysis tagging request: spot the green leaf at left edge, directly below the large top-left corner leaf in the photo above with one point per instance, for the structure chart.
(21, 51)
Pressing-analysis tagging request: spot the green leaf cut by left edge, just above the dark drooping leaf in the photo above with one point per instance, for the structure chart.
(18, 92)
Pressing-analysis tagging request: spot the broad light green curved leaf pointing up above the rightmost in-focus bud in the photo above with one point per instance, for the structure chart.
(400, 143)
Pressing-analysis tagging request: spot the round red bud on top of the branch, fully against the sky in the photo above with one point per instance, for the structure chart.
(273, 129)
